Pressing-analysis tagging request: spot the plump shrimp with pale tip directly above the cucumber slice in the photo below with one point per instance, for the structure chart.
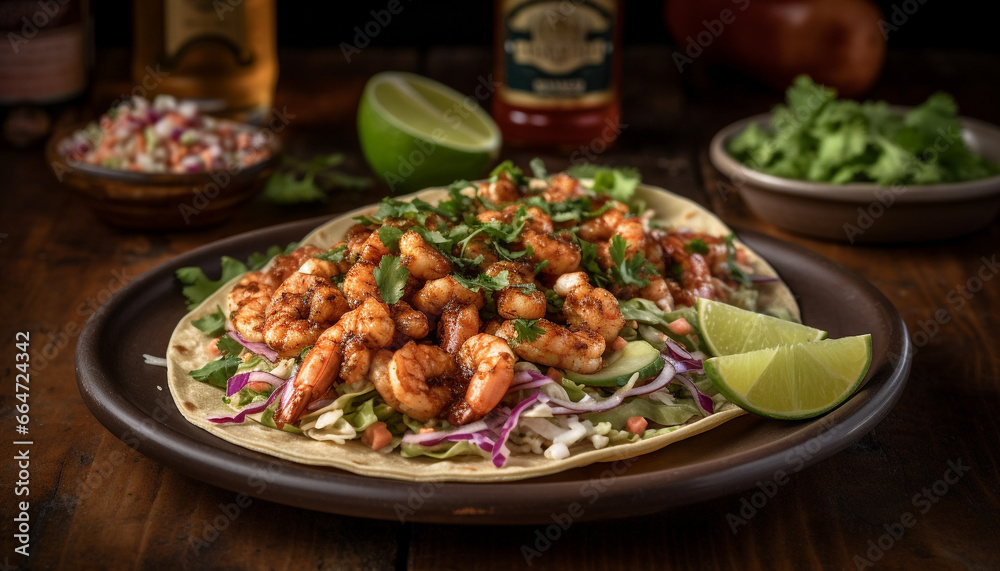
(588, 307)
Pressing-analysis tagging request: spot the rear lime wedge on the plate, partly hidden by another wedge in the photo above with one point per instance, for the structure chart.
(727, 330)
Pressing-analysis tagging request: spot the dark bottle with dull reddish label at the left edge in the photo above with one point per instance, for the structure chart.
(45, 62)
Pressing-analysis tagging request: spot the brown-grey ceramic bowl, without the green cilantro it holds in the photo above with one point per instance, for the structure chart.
(868, 213)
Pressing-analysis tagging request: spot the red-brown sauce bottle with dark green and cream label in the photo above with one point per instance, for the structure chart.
(559, 68)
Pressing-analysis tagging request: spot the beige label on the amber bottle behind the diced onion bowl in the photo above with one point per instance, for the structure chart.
(187, 21)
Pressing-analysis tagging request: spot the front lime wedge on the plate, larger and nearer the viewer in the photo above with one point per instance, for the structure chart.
(793, 381)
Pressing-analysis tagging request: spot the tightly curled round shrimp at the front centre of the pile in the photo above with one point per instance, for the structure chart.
(415, 380)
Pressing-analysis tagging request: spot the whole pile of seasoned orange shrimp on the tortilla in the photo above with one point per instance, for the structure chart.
(443, 350)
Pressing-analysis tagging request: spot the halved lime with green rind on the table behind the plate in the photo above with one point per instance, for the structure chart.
(417, 133)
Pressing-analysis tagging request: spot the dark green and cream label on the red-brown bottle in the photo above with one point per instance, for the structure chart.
(558, 54)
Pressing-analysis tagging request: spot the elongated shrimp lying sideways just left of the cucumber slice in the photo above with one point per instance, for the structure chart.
(558, 346)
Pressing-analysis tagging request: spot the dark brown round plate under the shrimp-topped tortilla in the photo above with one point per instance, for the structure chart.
(132, 401)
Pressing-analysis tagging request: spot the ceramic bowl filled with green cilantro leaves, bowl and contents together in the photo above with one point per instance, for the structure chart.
(864, 172)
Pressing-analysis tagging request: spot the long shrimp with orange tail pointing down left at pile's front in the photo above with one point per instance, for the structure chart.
(350, 340)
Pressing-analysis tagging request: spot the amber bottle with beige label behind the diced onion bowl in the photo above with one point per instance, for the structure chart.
(220, 53)
